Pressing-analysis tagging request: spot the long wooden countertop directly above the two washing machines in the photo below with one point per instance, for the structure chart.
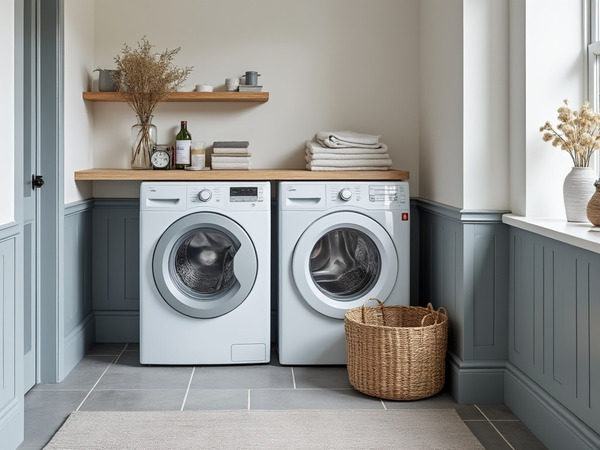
(233, 175)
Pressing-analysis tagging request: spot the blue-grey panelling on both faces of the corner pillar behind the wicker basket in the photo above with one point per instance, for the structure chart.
(463, 266)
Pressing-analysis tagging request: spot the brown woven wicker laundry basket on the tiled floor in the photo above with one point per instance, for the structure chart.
(396, 352)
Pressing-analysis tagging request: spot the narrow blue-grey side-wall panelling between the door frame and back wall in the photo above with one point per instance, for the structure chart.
(79, 332)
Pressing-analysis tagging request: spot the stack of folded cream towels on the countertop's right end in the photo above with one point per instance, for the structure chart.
(346, 150)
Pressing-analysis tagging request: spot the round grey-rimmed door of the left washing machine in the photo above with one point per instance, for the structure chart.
(204, 265)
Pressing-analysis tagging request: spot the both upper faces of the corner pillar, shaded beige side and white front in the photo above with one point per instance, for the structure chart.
(463, 122)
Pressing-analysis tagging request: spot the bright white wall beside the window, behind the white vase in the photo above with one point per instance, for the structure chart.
(554, 70)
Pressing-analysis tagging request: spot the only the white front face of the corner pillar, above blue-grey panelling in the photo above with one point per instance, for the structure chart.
(485, 123)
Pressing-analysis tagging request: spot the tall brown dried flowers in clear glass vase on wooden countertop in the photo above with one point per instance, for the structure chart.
(145, 79)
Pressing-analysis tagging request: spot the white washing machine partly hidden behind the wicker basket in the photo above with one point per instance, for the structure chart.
(340, 243)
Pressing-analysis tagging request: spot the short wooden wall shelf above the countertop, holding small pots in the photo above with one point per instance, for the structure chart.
(257, 97)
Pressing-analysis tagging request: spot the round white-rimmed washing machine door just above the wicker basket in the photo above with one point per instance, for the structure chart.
(341, 260)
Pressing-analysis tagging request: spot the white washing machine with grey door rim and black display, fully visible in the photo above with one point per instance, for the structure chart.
(205, 273)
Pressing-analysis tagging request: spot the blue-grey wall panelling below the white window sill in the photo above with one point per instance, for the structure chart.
(554, 338)
